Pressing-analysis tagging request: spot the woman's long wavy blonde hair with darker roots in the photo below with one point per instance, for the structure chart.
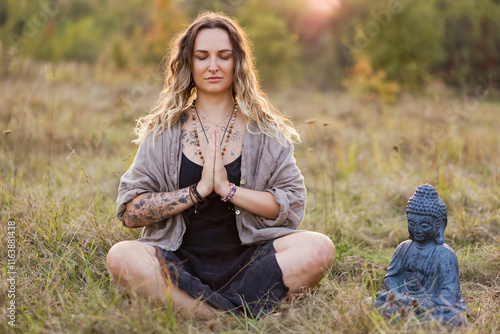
(179, 88)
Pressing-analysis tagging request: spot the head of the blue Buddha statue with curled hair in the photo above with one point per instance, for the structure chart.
(427, 215)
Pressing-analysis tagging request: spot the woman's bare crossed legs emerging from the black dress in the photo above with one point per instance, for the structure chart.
(304, 259)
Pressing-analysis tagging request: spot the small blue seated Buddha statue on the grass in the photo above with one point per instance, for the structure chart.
(423, 275)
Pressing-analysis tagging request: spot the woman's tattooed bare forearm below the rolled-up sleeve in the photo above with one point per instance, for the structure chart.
(150, 208)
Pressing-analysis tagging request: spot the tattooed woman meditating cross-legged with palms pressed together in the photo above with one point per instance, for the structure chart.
(216, 187)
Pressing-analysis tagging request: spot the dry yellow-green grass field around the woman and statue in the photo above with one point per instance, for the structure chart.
(71, 128)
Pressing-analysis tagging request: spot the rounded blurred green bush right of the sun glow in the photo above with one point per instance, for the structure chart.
(402, 41)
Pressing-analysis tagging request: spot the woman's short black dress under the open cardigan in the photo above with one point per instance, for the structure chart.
(211, 262)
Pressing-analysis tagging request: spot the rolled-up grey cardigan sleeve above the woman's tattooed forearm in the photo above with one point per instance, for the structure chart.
(143, 176)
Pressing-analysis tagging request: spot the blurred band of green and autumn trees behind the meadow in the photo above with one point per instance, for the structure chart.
(296, 42)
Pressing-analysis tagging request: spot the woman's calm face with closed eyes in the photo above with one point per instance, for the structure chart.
(213, 62)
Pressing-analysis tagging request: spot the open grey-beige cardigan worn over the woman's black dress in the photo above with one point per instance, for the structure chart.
(266, 165)
